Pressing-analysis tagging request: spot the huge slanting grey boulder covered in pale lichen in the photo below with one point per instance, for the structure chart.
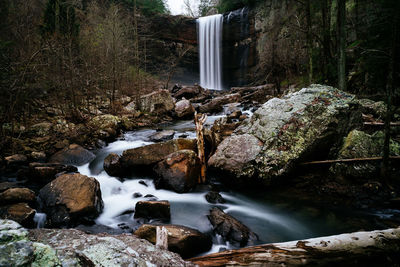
(286, 131)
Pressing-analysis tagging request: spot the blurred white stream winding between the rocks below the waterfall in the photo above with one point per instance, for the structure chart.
(272, 217)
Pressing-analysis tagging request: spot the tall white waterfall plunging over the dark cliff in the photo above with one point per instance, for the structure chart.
(210, 56)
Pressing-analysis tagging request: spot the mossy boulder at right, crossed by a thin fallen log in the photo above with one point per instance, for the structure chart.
(359, 144)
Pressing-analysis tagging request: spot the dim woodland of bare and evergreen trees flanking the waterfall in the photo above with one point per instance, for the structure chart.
(71, 53)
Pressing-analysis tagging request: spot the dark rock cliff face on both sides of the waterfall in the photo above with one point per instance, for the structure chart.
(258, 44)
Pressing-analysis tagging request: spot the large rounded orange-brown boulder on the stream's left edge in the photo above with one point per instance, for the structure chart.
(71, 199)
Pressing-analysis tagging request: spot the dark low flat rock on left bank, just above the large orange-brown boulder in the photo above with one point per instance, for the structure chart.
(44, 173)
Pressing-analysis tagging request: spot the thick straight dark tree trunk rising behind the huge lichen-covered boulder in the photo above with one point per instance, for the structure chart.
(341, 33)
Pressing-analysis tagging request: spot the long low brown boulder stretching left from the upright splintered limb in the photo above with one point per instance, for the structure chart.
(133, 160)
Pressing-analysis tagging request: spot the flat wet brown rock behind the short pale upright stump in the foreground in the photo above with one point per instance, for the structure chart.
(185, 241)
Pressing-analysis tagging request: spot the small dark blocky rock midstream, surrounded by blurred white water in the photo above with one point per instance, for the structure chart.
(153, 210)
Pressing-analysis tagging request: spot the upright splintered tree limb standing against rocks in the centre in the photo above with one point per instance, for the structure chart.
(199, 120)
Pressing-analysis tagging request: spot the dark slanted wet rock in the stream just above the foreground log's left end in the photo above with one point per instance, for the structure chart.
(231, 229)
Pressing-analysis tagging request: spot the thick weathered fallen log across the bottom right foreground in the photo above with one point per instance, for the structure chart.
(375, 248)
